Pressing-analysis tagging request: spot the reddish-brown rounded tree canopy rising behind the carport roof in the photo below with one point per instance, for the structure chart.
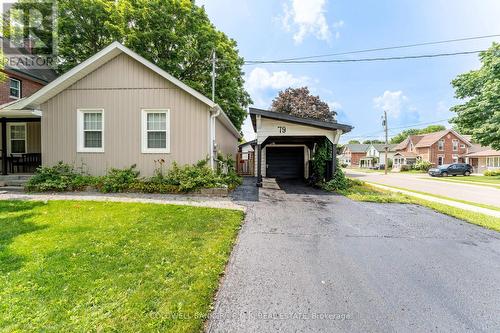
(300, 102)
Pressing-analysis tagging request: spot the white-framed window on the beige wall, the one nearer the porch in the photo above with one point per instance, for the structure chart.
(90, 130)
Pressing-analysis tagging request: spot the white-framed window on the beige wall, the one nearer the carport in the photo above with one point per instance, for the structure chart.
(156, 131)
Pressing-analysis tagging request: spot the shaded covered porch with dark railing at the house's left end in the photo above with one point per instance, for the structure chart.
(20, 142)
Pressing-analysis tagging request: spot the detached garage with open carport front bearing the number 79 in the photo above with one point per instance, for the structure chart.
(285, 144)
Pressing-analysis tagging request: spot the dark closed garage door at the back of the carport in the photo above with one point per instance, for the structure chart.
(285, 162)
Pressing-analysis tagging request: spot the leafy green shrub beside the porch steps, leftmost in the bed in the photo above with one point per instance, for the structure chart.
(60, 177)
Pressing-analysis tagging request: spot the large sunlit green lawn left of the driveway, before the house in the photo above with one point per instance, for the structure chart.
(69, 266)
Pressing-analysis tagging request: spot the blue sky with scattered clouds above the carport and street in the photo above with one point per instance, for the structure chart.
(413, 91)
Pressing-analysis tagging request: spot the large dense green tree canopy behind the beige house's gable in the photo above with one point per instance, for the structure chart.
(176, 35)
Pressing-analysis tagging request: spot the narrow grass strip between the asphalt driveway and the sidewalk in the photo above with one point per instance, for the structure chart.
(369, 193)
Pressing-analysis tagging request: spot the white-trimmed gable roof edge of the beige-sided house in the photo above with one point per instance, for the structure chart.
(93, 63)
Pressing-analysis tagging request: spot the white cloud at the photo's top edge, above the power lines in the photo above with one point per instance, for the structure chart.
(306, 17)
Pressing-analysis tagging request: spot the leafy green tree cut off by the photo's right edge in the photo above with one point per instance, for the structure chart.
(480, 114)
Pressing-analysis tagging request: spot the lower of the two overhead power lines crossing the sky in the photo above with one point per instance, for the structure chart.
(435, 55)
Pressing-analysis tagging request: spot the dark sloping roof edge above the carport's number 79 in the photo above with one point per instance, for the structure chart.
(297, 120)
